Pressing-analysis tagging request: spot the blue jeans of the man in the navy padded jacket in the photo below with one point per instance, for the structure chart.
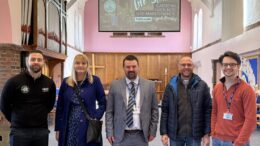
(188, 141)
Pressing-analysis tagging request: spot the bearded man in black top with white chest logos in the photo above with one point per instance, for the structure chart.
(26, 100)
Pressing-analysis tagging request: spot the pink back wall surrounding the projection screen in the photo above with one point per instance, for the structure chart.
(102, 42)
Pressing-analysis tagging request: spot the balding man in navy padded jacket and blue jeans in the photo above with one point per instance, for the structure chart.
(186, 108)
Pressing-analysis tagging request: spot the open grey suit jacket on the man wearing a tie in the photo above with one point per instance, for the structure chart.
(117, 105)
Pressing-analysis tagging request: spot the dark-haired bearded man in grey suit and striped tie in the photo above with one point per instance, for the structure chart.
(132, 109)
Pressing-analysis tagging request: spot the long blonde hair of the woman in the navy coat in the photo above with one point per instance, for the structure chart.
(72, 81)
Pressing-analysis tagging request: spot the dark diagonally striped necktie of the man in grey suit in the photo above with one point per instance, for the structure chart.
(131, 103)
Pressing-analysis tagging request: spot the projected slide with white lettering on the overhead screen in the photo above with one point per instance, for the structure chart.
(139, 15)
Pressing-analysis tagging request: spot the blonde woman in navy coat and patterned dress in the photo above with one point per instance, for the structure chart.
(71, 124)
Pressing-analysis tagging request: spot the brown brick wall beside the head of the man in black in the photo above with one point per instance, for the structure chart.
(9, 62)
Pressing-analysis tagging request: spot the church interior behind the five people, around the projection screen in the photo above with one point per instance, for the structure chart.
(64, 28)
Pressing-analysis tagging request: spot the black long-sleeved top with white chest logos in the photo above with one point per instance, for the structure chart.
(26, 102)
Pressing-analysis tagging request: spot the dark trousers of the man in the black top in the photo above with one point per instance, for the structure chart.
(29, 137)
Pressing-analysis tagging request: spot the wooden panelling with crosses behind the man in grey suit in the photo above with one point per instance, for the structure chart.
(159, 67)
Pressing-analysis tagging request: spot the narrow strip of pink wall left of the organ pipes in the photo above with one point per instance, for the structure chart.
(5, 22)
